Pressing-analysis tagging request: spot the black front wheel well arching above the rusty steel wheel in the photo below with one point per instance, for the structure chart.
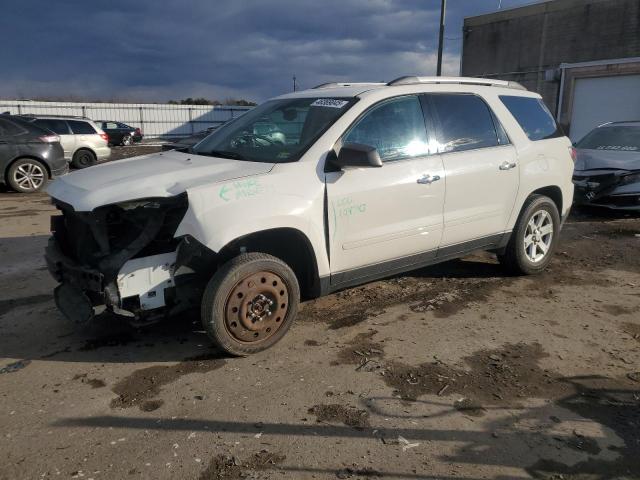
(289, 245)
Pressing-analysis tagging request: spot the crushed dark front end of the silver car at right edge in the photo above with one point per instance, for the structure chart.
(609, 188)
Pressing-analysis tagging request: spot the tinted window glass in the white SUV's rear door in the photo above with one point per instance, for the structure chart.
(463, 122)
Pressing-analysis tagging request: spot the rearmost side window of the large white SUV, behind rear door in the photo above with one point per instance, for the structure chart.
(533, 116)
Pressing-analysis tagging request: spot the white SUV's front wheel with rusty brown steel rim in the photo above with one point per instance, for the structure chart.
(237, 306)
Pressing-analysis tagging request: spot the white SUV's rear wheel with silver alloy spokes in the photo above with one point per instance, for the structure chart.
(530, 248)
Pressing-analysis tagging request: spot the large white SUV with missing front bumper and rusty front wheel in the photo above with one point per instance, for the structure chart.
(352, 183)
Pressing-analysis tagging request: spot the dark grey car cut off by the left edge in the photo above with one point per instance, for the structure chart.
(29, 155)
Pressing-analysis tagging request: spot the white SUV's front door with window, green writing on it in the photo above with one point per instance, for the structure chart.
(386, 219)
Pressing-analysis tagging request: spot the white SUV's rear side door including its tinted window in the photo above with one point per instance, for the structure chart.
(480, 166)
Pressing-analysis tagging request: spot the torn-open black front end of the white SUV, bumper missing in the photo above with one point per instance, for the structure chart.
(124, 257)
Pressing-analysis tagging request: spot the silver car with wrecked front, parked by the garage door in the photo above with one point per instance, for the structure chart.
(607, 172)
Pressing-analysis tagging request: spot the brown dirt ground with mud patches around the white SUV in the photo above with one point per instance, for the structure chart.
(450, 372)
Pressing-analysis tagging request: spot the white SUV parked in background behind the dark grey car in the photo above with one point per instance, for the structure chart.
(84, 143)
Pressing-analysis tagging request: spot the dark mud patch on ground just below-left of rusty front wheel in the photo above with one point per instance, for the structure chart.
(145, 384)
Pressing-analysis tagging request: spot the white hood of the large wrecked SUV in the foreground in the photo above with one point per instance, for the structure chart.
(157, 175)
